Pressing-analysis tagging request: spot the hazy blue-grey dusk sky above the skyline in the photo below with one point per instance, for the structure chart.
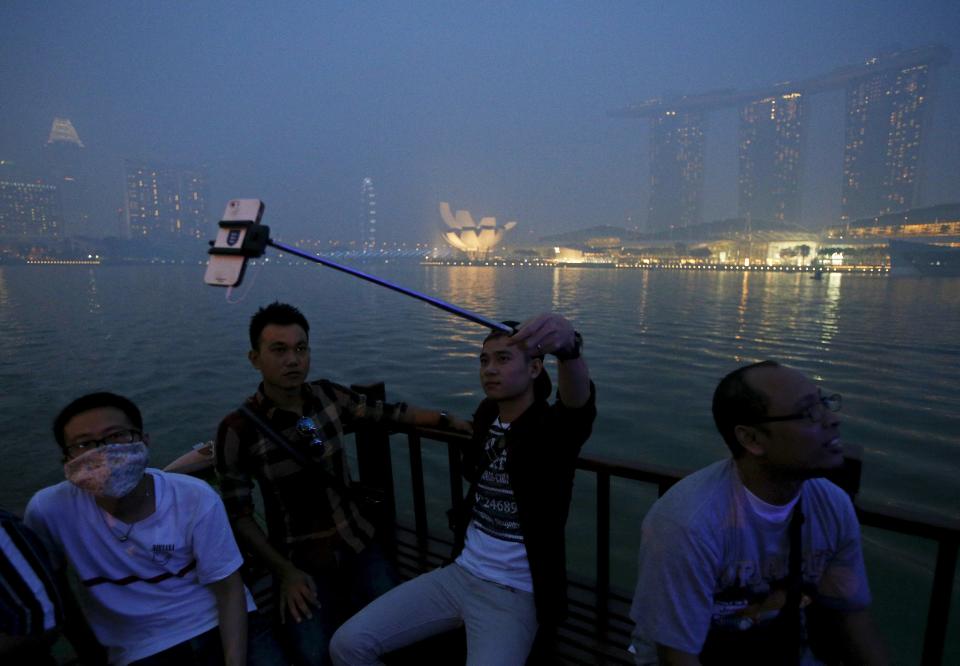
(496, 107)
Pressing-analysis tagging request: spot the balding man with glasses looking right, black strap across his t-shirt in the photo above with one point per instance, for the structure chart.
(755, 559)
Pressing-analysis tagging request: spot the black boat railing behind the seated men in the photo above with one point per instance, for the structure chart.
(608, 625)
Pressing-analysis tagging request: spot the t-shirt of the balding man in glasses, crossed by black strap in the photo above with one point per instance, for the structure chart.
(710, 556)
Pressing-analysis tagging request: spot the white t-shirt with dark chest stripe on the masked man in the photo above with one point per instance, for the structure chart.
(148, 592)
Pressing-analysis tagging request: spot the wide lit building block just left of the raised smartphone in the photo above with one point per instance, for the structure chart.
(165, 202)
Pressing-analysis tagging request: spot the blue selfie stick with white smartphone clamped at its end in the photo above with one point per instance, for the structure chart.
(241, 237)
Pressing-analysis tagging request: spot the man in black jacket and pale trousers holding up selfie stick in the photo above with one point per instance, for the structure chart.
(508, 579)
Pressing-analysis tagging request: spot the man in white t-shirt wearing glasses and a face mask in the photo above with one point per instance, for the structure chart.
(154, 553)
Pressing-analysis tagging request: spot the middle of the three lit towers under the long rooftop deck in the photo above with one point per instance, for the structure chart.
(771, 141)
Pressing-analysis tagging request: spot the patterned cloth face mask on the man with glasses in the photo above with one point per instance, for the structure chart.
(112, 470)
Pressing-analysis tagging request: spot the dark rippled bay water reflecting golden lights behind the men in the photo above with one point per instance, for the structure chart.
(657, 342)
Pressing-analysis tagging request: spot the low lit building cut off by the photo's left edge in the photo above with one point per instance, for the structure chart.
(29, 211)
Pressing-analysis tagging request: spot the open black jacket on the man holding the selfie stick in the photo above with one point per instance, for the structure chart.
(542, 447)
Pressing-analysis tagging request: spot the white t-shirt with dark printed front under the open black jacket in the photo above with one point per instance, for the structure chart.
(494, 548)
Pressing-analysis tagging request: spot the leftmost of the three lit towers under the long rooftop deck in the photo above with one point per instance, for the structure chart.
(676, 169)
